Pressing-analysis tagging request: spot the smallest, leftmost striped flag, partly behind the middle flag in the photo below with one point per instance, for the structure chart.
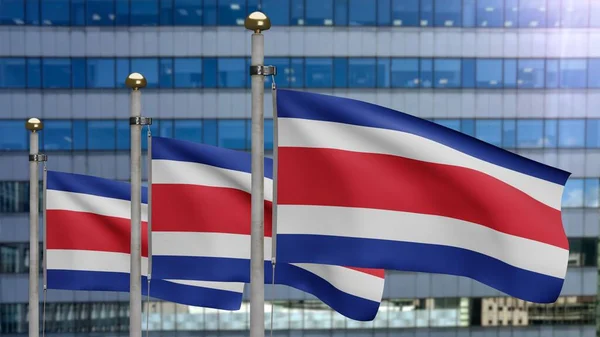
(88, 244)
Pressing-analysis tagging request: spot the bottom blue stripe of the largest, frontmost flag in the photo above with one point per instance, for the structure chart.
(407, 256)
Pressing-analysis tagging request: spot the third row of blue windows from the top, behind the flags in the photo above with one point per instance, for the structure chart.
(111, 134)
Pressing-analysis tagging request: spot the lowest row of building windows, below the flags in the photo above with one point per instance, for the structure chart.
(306, 315)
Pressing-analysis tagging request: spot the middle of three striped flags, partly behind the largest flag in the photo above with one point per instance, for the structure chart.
(201, 228)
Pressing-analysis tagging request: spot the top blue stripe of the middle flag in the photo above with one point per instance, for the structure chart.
(180, 150)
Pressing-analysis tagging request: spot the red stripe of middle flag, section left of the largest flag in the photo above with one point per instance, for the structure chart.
(197, 208)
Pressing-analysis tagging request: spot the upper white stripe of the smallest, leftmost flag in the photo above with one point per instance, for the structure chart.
(89, 203)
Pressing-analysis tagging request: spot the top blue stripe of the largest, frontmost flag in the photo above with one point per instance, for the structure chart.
(305, 105)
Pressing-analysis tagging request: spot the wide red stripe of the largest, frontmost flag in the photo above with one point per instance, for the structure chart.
(317, 176)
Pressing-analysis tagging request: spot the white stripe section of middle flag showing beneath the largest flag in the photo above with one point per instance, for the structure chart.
(350, 281)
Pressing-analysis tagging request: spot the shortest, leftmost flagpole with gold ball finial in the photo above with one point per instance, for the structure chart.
(34, 125)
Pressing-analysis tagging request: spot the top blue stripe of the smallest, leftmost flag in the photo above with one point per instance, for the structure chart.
(79, 183)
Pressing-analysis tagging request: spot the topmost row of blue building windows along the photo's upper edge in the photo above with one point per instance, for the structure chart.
(399, 13)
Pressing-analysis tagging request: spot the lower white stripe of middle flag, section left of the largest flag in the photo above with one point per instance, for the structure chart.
(235, 246)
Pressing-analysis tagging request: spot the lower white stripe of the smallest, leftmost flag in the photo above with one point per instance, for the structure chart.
(86, 260)
